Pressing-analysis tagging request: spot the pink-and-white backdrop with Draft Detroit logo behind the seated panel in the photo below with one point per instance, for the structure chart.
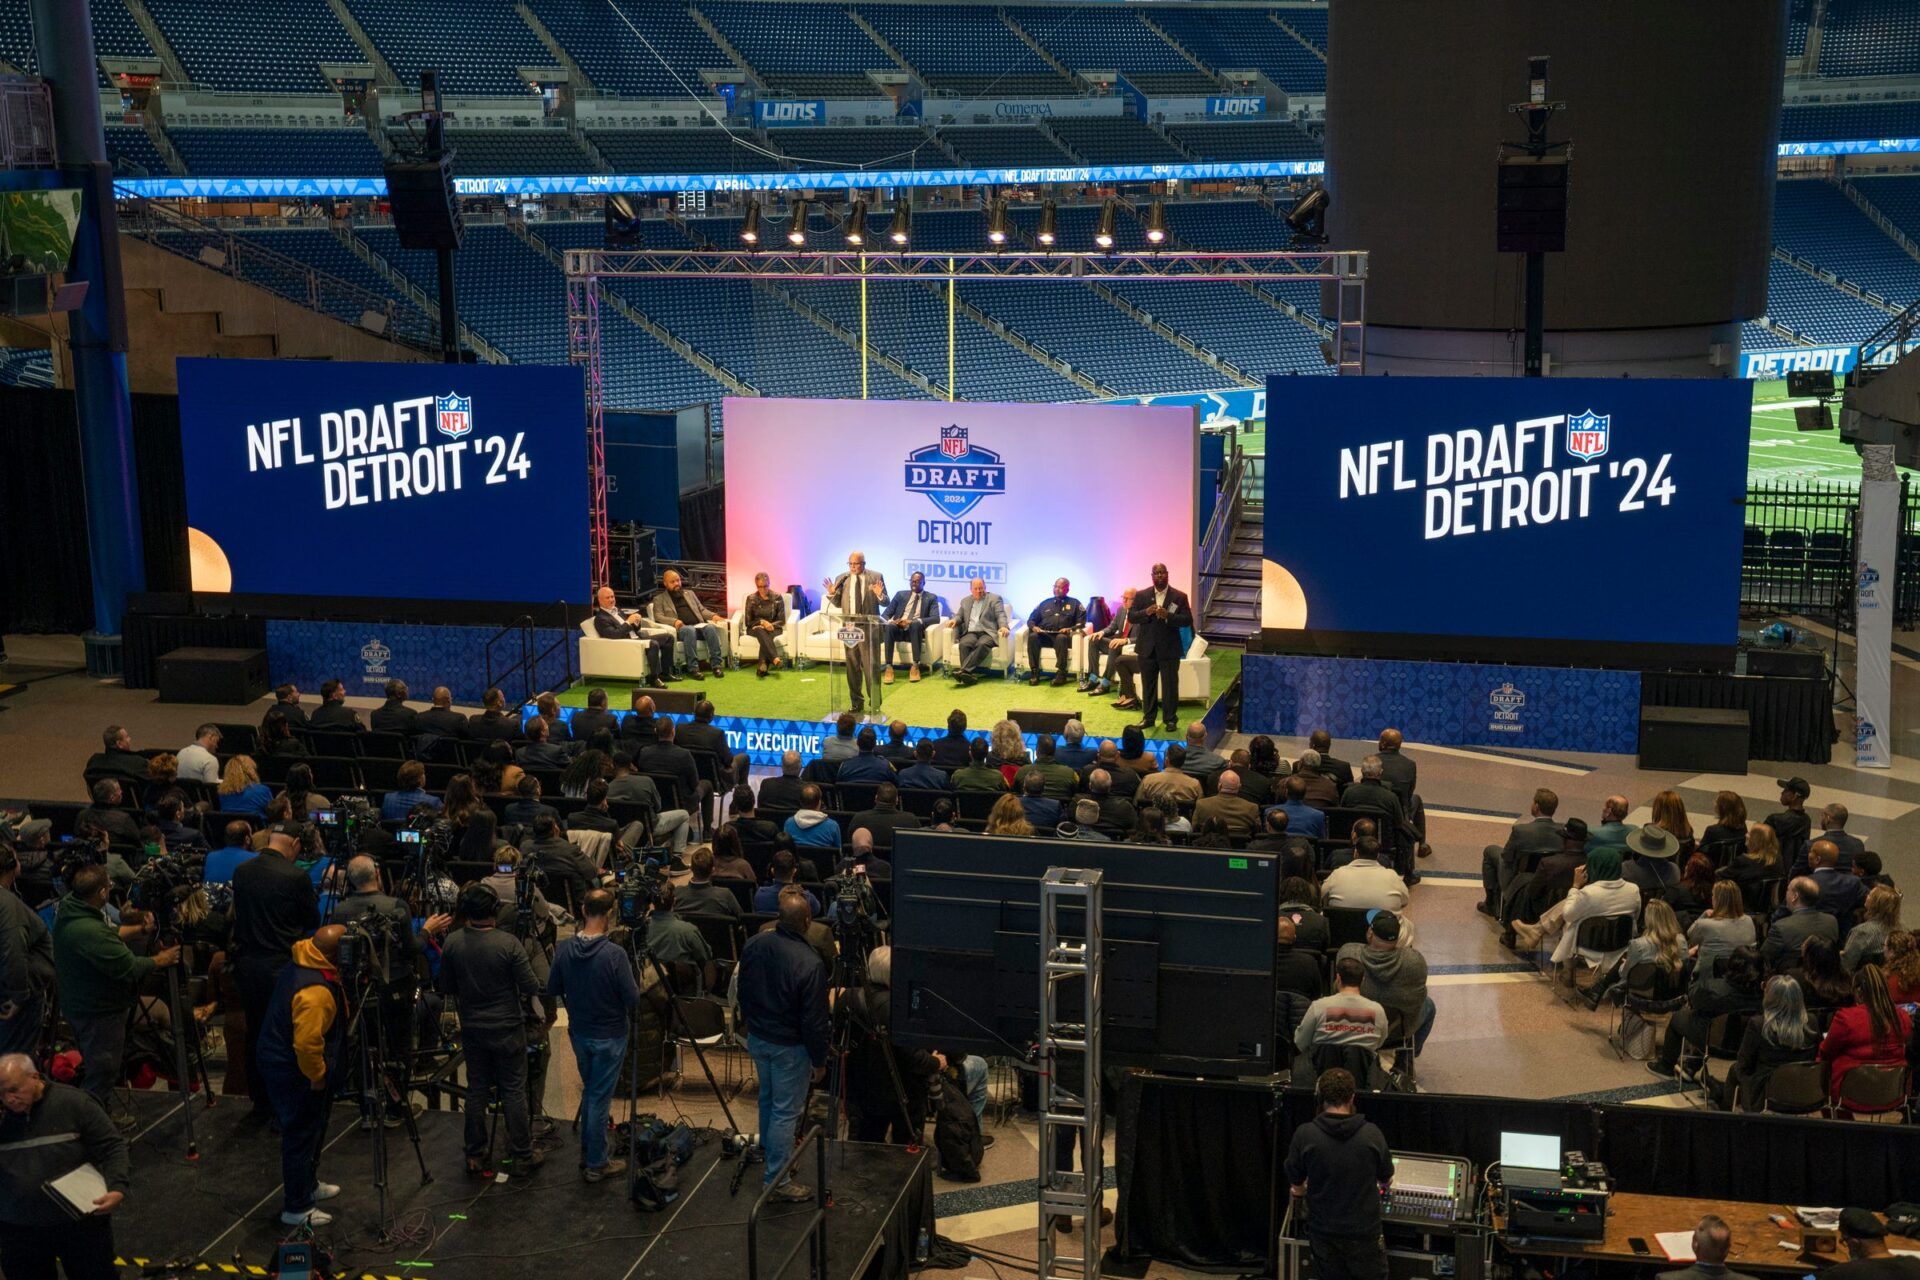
(1015, 494)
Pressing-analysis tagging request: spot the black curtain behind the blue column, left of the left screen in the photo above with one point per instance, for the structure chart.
(45, 581)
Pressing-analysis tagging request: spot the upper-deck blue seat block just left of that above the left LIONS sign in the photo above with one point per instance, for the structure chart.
(619, 60)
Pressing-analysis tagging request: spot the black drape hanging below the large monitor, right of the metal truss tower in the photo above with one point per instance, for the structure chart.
(1195, 1164)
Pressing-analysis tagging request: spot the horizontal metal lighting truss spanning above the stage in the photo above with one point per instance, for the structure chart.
(1166, 266)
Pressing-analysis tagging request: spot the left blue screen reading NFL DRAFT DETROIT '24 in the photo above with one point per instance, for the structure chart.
(387, 481)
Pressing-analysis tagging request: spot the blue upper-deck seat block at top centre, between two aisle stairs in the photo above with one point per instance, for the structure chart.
(965, 49)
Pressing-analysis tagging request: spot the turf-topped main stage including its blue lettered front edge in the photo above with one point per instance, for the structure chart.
(790, 709)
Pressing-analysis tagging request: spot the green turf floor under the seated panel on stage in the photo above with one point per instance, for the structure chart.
(804, 696)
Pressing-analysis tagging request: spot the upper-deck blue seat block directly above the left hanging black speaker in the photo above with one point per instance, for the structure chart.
(475, 49)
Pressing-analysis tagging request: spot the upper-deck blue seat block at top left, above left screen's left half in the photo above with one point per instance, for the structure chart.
(249, 47)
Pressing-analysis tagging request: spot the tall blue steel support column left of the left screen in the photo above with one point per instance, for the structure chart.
(97, 333)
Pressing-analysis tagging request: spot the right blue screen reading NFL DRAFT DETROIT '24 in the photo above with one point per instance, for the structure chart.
(1537, 519)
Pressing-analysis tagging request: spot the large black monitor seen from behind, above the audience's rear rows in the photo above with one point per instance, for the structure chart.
(1189, 949)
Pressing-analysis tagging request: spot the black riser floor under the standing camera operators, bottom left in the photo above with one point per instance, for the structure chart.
(222, 1212)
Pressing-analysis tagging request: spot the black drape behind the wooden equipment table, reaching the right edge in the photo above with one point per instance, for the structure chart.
(1760, 1158)
